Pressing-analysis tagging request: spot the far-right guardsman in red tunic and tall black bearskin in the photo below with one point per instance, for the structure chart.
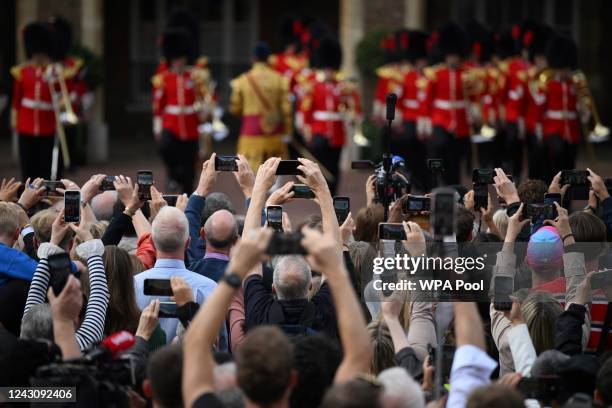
(560, 119)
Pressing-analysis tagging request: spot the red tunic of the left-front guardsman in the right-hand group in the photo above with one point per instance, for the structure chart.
(445, 100)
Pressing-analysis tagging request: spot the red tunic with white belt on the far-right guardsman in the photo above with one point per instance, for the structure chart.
(560, 115)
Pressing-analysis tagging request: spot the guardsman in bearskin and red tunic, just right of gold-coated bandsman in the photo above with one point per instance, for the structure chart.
(324, 108)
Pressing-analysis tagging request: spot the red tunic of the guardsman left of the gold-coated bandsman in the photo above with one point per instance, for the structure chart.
(174, 99)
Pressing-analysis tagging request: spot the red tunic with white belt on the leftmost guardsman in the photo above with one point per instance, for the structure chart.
(32, 101)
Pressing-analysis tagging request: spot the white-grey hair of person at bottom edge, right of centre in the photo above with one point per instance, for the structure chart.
(400, 389)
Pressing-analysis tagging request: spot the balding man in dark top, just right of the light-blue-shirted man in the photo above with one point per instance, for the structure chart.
(220, 233)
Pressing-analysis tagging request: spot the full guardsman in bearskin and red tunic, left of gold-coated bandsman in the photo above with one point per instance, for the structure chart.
(176, 117)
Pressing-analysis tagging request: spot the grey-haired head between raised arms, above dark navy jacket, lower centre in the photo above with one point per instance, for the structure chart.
(292, 278)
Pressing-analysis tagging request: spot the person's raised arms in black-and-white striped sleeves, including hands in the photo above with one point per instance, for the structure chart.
(91, 328)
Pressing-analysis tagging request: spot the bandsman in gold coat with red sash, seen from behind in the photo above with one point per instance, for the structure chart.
(260, 98)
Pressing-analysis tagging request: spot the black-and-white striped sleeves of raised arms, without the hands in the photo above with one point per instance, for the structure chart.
(92, 327)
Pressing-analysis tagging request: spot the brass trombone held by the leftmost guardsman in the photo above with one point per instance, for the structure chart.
(64, 115)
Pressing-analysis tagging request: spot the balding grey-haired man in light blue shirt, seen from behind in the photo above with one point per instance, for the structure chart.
(171, 237)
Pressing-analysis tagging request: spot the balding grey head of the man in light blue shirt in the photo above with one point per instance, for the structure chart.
(170, 230)
